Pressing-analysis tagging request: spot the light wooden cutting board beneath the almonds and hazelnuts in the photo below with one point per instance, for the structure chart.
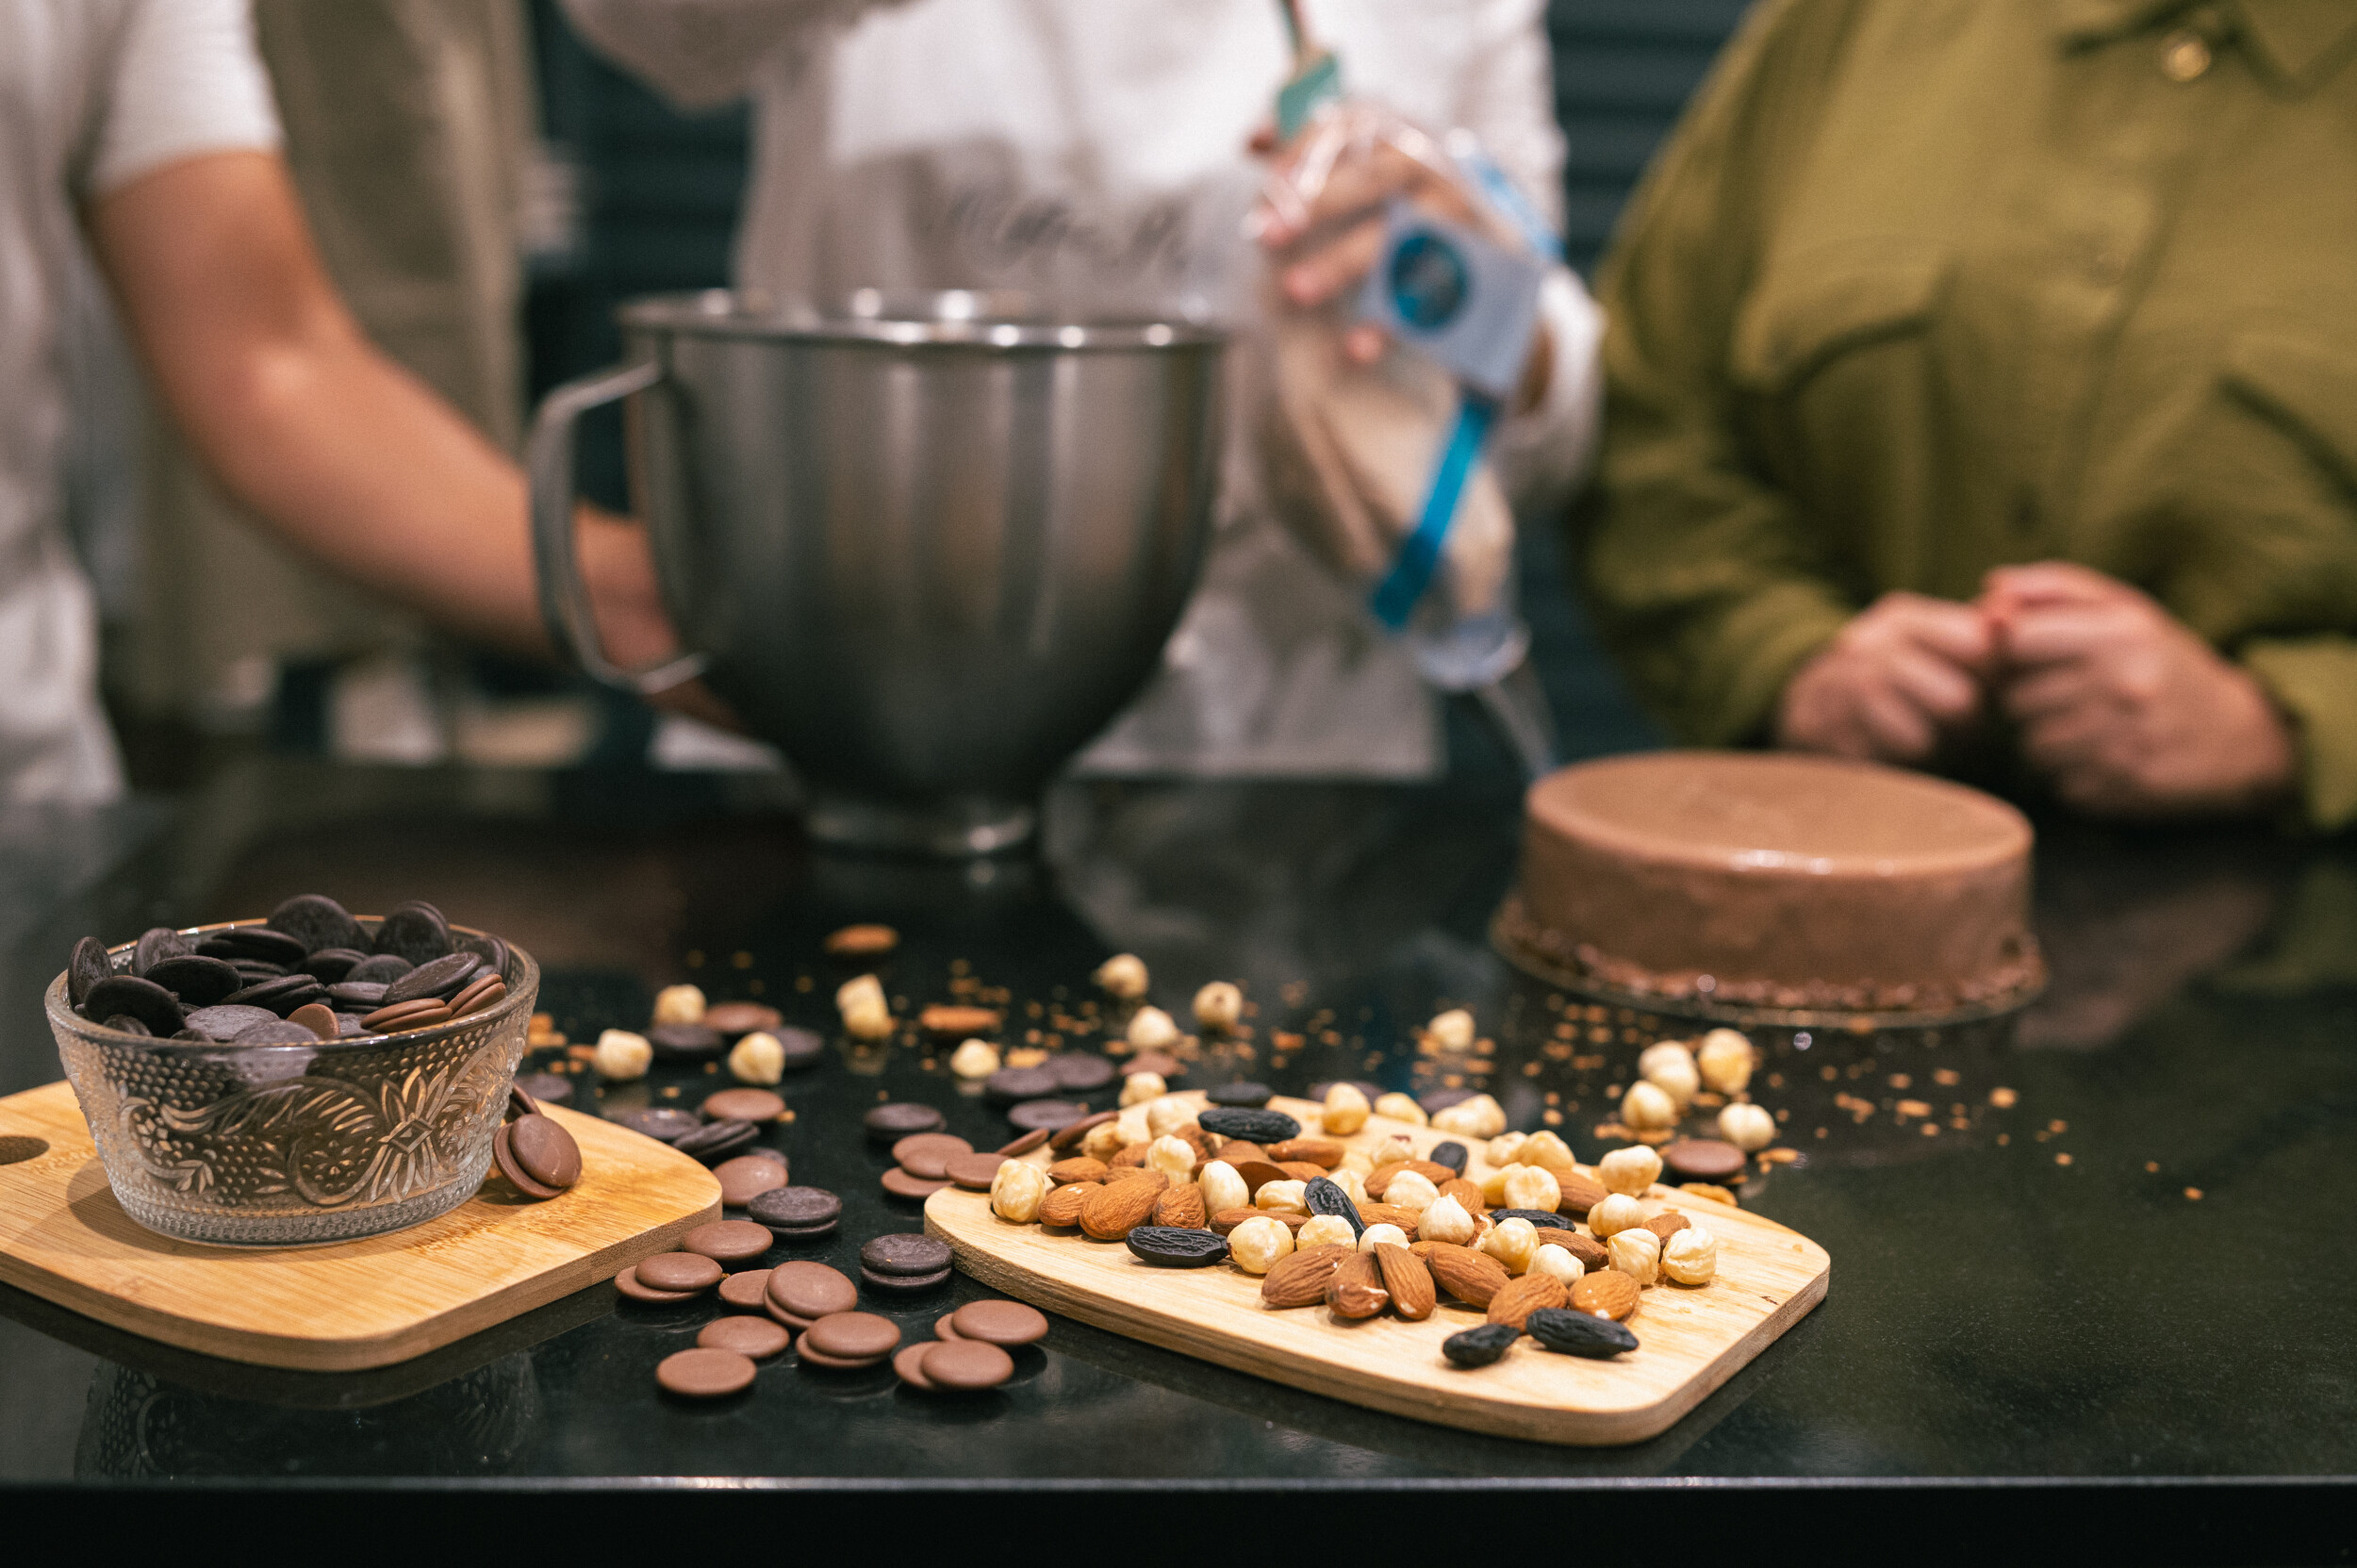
(1689, 1340)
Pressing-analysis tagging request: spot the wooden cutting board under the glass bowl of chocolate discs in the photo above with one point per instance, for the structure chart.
(350, 1305)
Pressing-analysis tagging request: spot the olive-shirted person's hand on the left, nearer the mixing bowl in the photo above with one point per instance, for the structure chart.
(1896, 683)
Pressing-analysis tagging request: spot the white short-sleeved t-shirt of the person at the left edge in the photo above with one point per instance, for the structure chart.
(93, 93)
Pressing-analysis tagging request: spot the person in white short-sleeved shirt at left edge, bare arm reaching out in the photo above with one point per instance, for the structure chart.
(147, 131)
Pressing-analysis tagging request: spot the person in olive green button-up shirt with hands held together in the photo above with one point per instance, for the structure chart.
(1986, 374)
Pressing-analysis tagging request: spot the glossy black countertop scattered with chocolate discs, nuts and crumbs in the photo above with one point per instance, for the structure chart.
(1995, 1310)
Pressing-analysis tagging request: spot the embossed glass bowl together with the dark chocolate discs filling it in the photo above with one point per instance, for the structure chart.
(296, 1128)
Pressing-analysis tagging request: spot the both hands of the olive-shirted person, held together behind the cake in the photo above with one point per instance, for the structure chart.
(2115, 704)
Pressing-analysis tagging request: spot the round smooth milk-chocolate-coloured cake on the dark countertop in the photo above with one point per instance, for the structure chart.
(1776, 883)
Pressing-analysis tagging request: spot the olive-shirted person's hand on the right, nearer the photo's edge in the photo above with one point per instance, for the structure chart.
(2125, 709)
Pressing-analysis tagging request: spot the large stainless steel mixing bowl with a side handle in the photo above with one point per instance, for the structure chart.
(927, 548)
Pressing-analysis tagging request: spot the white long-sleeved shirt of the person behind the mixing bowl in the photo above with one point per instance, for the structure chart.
(1092, 152)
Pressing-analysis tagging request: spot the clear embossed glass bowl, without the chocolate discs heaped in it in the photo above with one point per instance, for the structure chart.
(296, 1145)
